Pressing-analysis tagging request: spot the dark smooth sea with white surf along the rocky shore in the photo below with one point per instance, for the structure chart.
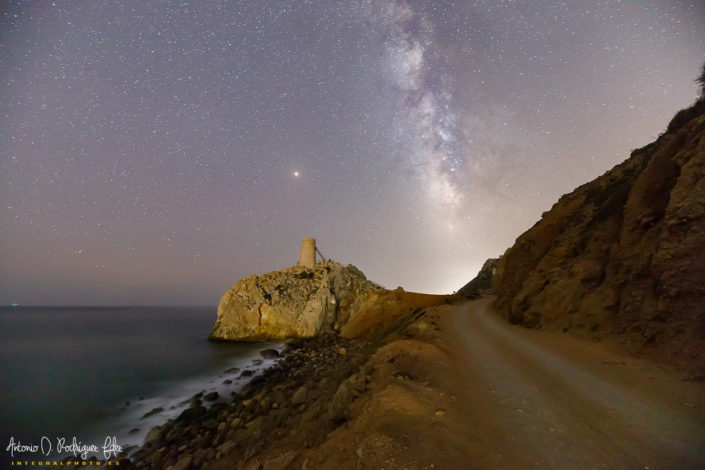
(109, 374)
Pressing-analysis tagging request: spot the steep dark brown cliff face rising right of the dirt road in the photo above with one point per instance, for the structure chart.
(623, 254)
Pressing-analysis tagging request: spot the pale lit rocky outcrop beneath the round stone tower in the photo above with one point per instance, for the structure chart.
(297, 302)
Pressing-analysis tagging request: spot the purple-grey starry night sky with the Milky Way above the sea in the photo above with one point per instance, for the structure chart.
(154, 152)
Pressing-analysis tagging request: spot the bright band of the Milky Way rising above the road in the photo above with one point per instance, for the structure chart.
(427, 121)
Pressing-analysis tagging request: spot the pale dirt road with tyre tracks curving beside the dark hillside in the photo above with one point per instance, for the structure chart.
(548, 400)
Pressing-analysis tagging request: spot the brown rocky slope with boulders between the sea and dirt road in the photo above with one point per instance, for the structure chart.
(378, 395)
